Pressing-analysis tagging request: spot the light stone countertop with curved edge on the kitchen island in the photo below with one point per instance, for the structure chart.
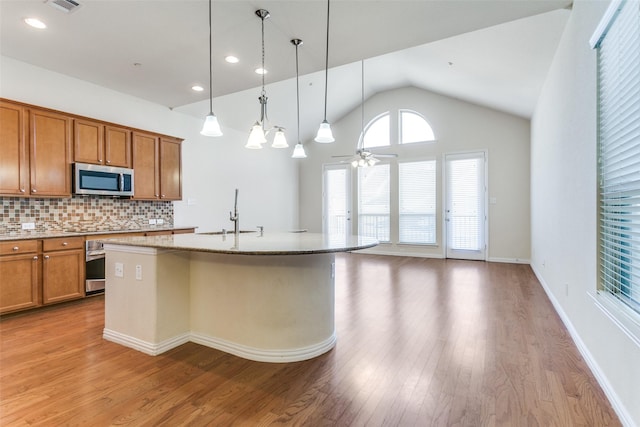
(275, 243)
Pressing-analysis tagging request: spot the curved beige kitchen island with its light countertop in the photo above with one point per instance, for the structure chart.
(261, 296)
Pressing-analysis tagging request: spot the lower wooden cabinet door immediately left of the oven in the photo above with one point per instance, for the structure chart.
(62, 276)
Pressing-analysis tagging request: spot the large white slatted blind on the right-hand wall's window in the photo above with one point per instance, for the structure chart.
(619, 154)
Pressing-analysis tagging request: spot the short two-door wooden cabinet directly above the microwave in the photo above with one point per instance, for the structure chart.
(101, 144)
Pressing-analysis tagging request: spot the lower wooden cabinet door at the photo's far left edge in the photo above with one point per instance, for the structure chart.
(19, 286)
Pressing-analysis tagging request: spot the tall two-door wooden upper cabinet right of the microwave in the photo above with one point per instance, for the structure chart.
(157, 166)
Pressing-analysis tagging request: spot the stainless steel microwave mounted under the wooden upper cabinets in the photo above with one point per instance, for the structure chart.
(102, 180)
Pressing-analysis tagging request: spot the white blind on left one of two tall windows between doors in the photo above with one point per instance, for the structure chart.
(373, 202)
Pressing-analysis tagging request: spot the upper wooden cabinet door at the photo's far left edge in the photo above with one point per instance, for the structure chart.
(14, 159)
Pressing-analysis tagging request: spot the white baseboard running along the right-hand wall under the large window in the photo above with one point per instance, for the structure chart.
(618, 407)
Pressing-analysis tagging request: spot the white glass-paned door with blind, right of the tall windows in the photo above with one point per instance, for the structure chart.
(465, 201)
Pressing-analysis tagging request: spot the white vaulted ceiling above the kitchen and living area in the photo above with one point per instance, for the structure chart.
(491, 52)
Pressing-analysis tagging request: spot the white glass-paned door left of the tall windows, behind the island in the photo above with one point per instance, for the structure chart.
(337, 200)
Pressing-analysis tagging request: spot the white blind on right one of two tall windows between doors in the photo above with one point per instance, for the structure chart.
(417, 202)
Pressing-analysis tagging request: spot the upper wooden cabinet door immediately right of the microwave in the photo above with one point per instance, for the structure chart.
(145, 166)
